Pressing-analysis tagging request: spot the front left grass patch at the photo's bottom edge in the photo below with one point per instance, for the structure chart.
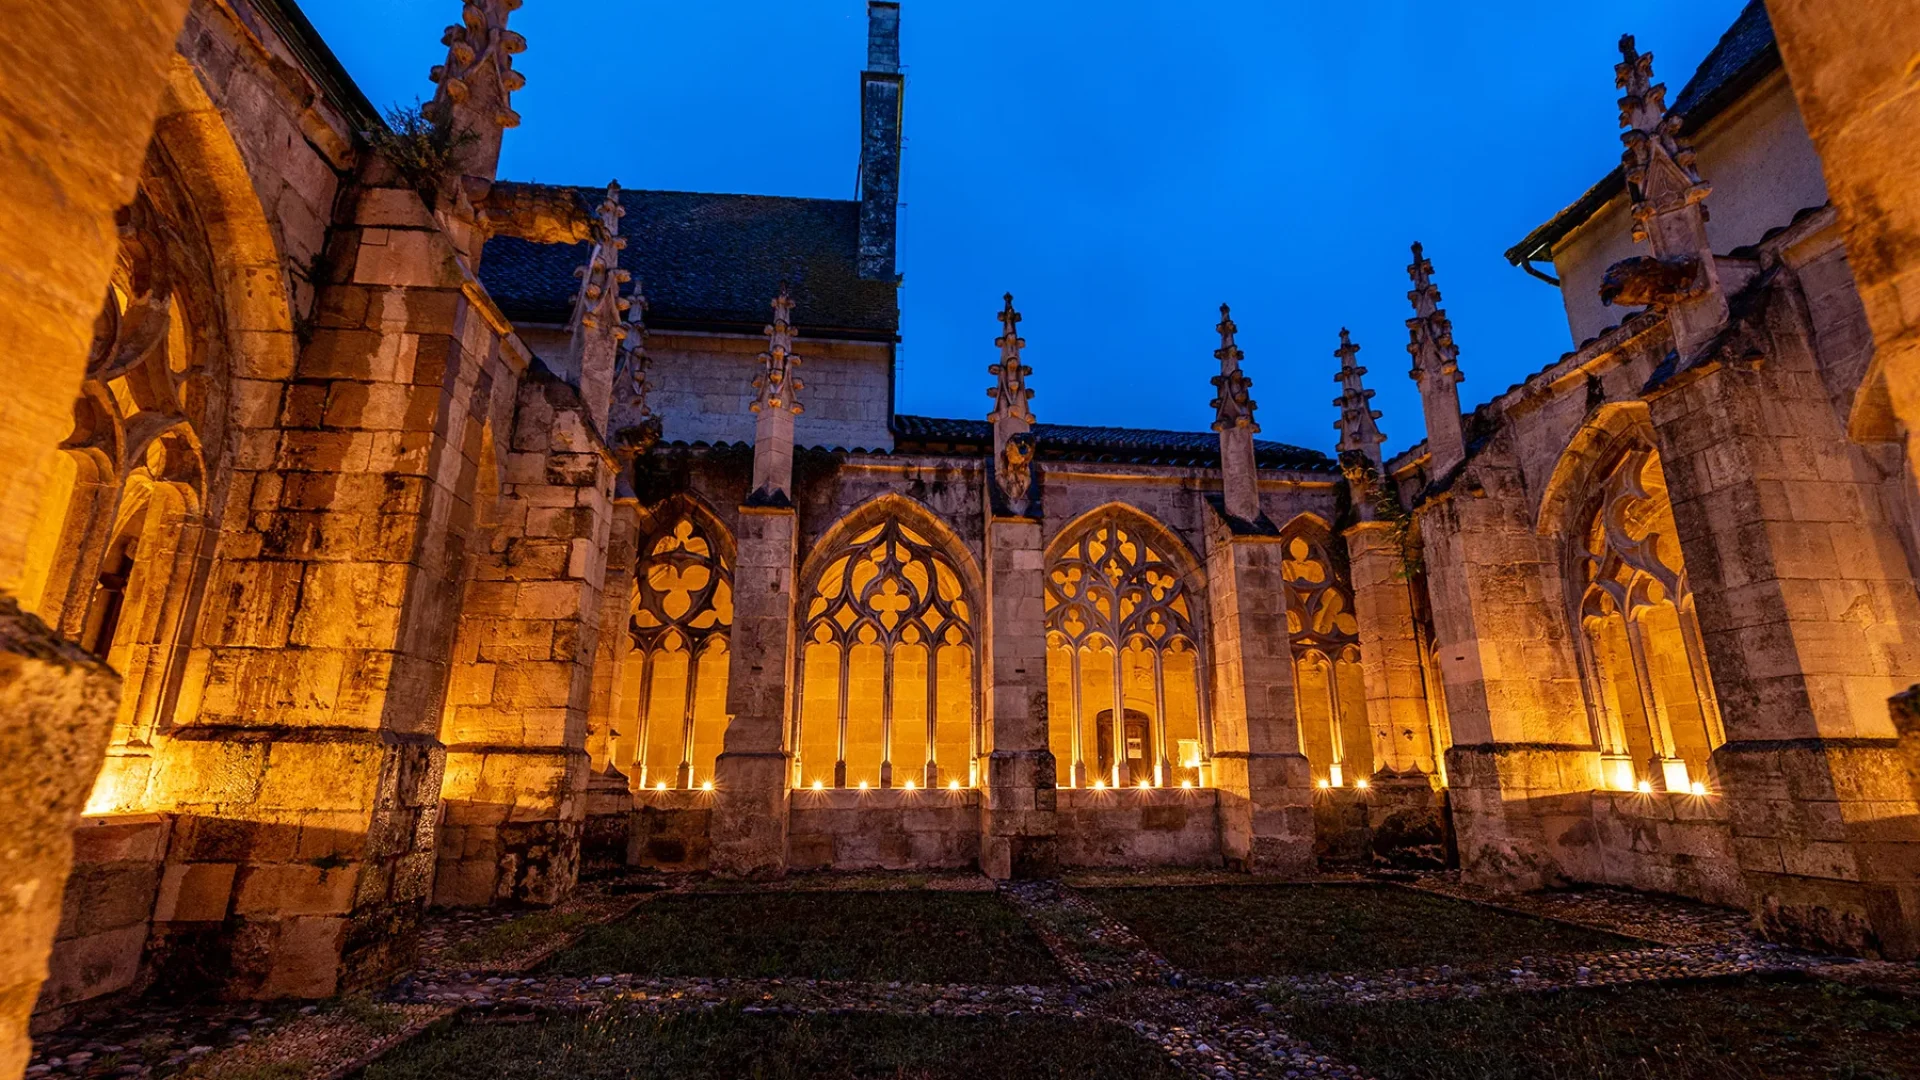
(729, 1046)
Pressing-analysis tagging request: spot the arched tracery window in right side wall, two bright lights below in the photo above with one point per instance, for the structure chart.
(1641, 645)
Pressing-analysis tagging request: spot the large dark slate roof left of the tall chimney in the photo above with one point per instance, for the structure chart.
(711, 262)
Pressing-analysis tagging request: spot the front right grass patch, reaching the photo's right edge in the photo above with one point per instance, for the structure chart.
(1704, 1031)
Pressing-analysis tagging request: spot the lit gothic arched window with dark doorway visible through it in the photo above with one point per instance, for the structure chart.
(1122, 660)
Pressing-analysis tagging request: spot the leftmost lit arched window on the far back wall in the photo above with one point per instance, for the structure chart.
(683, 616)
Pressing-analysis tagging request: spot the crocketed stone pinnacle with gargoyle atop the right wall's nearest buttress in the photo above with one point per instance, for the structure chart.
(1669, 214)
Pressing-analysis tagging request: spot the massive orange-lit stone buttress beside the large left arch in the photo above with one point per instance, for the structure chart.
(308, 764)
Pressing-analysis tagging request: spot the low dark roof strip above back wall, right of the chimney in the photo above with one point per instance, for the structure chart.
(1120, 445)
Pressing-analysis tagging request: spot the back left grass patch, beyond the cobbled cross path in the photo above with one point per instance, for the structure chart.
(876, 937)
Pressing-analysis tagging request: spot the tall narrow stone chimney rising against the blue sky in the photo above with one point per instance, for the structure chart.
(882, 99)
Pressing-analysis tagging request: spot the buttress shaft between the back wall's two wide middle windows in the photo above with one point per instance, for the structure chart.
(1019, 814)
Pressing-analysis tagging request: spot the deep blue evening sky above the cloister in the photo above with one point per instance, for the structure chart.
(1122, 166)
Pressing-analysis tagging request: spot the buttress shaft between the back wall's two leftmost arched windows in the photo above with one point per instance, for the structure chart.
(754, 772)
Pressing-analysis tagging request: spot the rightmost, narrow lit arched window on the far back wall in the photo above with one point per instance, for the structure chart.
(1330, 685)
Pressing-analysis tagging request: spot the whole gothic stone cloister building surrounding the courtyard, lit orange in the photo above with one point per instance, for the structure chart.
(383, 533)
